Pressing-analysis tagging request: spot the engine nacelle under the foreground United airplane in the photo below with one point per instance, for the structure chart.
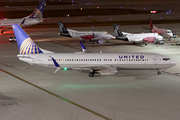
(108, 71)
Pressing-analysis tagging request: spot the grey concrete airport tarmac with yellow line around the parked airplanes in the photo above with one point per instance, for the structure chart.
(31, 92)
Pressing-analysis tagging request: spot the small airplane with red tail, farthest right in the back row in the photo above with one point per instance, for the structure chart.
(163, 32)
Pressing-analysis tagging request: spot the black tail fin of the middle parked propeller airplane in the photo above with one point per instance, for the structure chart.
(119, 35)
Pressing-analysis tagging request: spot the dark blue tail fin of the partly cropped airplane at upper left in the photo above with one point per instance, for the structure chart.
(38, 12)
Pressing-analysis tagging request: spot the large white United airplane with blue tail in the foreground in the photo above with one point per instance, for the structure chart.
(102, 63)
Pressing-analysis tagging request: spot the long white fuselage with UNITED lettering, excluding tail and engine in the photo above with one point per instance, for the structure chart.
(97, 60)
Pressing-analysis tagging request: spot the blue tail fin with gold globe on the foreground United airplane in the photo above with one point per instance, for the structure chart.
(24, 42)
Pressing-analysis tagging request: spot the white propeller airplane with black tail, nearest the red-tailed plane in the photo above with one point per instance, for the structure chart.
(136, 38)
